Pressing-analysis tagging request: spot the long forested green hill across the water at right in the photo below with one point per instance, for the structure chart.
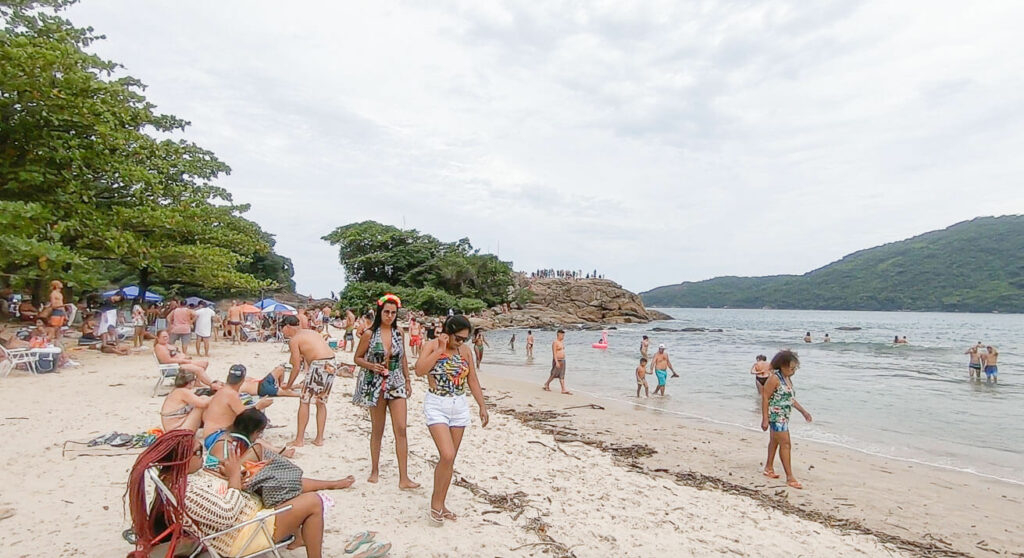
(974, 267)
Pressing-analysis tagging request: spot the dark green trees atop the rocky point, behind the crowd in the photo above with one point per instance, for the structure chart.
(424, 272)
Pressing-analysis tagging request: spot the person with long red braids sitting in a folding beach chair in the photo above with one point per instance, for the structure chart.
(211, 504)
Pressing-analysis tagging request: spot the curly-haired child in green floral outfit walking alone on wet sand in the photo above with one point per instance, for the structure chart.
(778, 401)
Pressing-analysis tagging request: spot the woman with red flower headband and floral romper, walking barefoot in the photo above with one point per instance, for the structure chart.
(383, 385)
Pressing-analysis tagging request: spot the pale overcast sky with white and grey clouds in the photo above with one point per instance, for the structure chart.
(656, 142)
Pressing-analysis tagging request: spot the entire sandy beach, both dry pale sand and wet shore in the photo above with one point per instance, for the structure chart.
(521, 493)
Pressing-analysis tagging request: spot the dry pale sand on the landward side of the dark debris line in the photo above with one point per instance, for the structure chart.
(72, 506)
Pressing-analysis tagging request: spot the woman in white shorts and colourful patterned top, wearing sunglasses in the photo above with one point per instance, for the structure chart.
(451, 368)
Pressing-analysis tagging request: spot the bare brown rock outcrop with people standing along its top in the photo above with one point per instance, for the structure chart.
(573, 304)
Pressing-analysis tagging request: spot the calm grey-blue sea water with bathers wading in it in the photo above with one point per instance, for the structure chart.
(906, 402)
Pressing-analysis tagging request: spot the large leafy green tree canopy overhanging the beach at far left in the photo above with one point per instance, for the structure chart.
(96, 186)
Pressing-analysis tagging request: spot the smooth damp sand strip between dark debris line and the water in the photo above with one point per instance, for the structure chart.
(899, 497)
